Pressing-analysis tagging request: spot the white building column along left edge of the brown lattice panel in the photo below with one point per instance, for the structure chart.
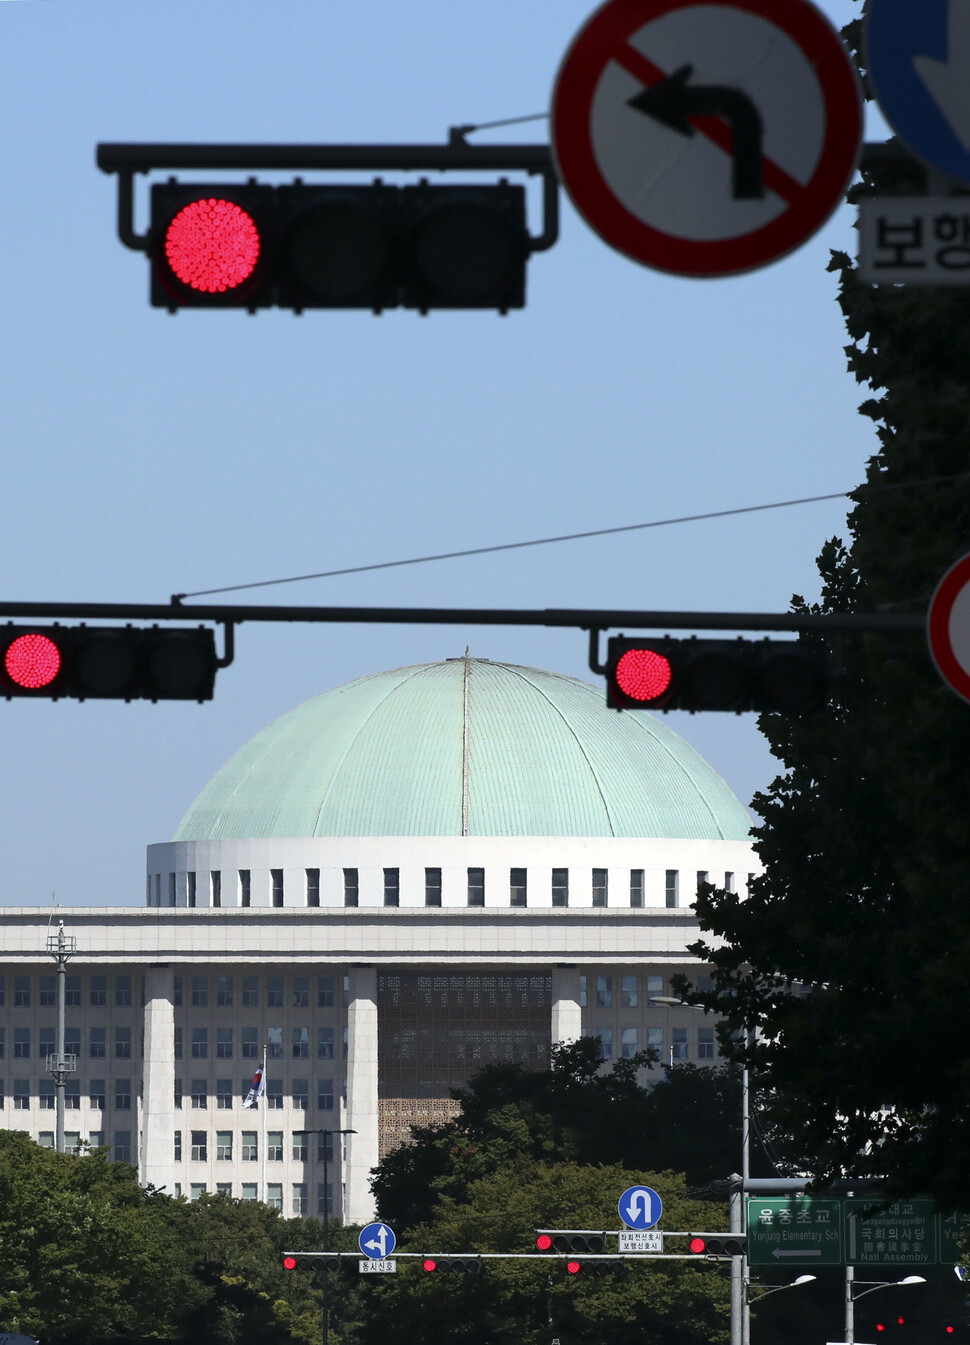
(363, 1148)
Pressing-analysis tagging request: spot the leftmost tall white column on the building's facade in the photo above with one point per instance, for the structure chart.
(157, 1157)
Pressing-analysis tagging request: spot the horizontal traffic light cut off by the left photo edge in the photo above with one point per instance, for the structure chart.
(126, 664)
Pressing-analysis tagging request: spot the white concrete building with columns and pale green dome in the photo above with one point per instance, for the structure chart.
(396, 883)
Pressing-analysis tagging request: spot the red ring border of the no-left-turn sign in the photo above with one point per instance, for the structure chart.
(575, 89)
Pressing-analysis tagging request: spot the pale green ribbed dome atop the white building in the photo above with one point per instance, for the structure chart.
(466, 748)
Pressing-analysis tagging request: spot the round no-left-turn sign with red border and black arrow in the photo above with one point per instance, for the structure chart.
(707, 138)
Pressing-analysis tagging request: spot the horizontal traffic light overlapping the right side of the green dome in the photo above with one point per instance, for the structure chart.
(691, 675)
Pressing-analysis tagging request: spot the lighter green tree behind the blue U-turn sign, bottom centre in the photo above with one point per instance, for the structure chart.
(531, 1301)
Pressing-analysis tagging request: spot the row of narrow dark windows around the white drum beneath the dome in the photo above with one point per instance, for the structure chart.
(476, 890)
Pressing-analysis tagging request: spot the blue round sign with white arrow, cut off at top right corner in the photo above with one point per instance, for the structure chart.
(920, 65)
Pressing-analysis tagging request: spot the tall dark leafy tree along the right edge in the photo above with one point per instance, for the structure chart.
(863, 911)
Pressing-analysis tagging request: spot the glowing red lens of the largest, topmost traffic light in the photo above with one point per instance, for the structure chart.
(213, 245)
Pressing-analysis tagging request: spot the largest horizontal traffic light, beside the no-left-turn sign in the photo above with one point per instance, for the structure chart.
(338, 247)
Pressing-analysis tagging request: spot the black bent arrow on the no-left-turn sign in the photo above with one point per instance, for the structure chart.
(673, 102)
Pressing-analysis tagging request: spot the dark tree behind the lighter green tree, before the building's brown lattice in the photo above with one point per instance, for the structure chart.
(571, 1113)
